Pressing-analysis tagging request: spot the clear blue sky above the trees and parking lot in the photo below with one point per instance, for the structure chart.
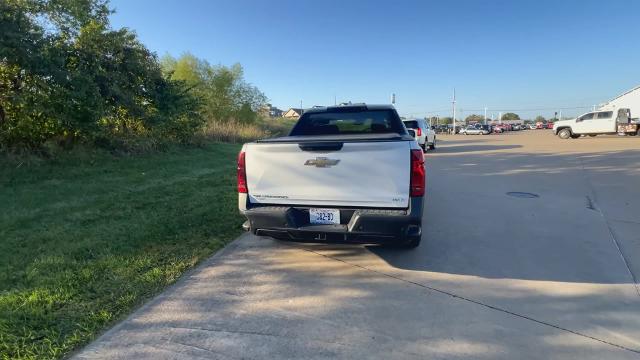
(500, 54)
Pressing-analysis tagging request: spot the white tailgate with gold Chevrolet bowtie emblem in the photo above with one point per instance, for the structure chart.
(360, 174)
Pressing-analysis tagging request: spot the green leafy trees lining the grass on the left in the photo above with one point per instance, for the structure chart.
(68, 77)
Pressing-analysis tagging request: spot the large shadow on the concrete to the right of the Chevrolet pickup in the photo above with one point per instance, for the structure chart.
(588, 206)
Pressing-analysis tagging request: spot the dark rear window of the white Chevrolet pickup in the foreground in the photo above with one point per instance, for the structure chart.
(348, 122)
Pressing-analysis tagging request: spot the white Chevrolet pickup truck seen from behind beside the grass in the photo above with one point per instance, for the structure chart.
(344, 174)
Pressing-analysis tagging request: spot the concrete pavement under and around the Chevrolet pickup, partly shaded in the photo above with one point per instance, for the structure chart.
(497, 277)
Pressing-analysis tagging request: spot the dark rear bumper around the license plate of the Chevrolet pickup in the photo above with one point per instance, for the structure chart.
(364, 226)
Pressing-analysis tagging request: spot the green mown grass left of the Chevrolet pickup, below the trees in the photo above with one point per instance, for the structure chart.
(86, 239)
